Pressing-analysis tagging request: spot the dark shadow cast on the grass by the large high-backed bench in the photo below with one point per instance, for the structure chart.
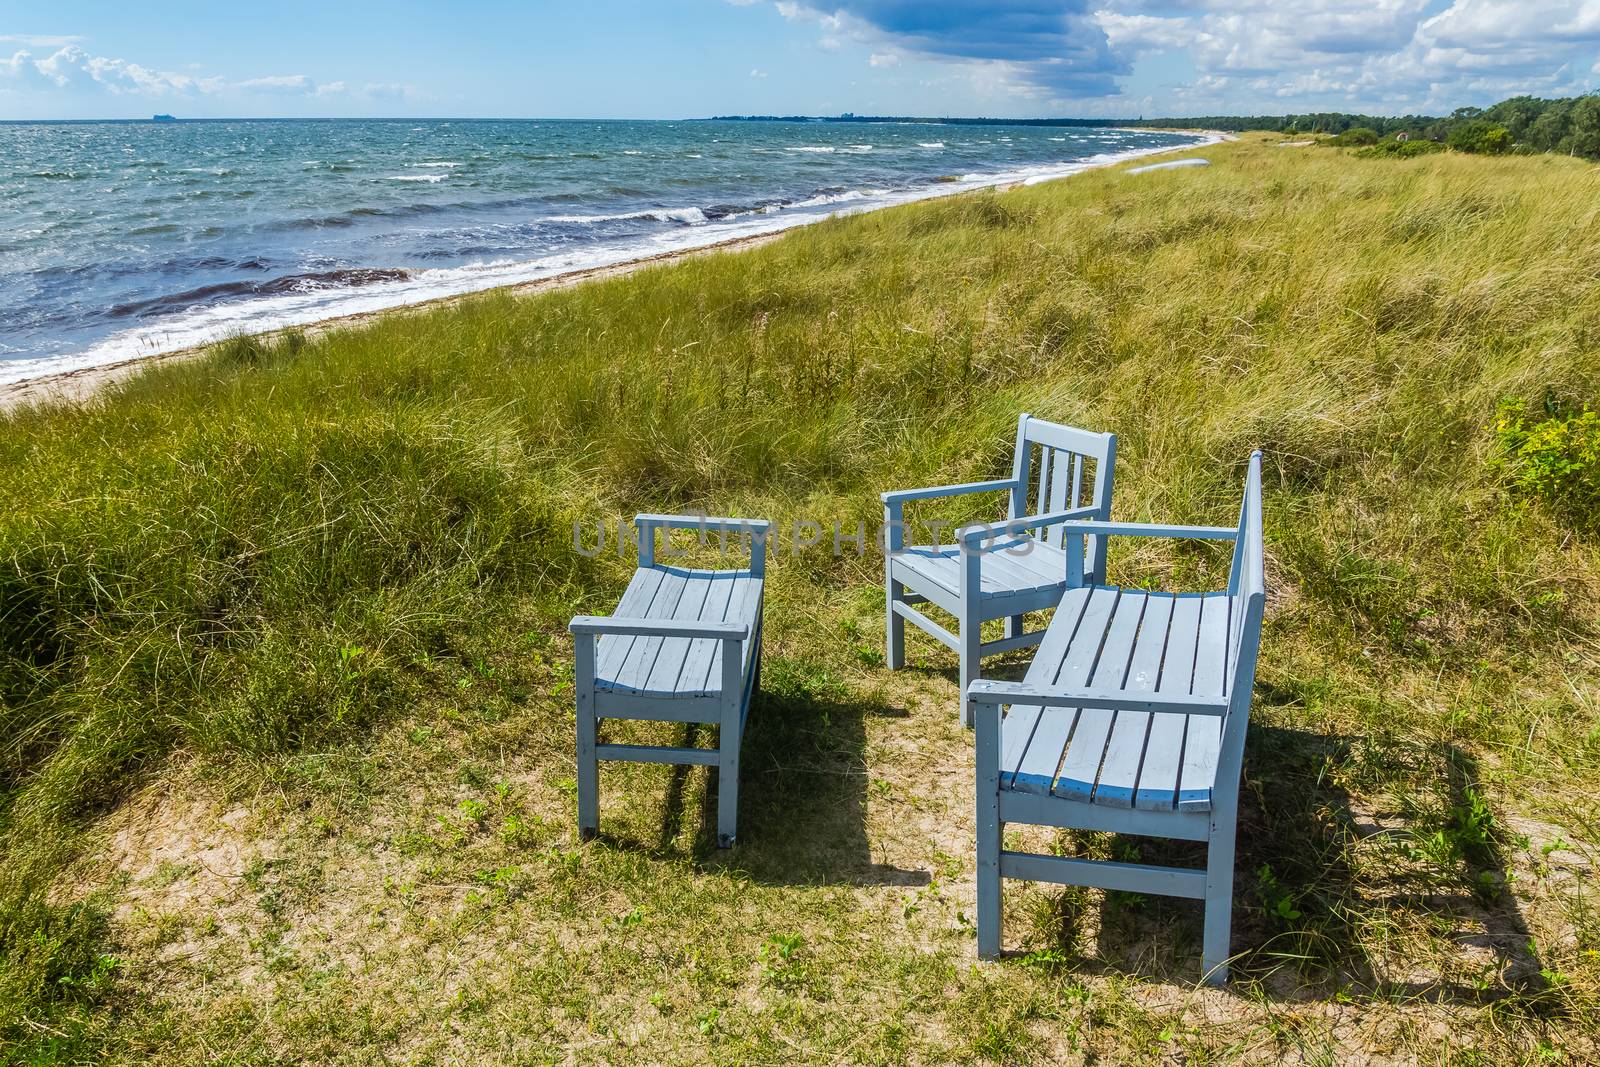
(1300, 898)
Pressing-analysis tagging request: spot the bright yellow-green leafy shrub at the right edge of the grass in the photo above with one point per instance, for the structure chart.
(1554, 458)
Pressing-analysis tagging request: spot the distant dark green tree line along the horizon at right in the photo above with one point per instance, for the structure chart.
(1522, 124)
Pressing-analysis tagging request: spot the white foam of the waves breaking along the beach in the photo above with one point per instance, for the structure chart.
(204, 326)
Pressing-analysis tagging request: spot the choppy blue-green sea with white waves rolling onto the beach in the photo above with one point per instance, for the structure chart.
(127, 239)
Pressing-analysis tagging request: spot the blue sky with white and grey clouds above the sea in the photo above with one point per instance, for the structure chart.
(695, 58)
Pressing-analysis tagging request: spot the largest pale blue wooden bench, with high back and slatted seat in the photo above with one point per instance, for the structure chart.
(1130, 721)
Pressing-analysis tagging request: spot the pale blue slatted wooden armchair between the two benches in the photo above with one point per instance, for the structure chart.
(1002, 578)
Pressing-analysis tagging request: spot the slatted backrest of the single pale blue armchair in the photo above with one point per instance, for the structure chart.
(1058, 468)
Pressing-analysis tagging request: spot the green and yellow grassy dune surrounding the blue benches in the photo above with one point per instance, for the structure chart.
(286, 732)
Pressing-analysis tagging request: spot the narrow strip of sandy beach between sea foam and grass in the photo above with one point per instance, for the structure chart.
(76, 386)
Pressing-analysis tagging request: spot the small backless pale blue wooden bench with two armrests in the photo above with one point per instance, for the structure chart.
(684, 647)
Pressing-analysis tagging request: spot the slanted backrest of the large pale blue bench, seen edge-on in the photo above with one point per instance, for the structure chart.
(1249, 593)
